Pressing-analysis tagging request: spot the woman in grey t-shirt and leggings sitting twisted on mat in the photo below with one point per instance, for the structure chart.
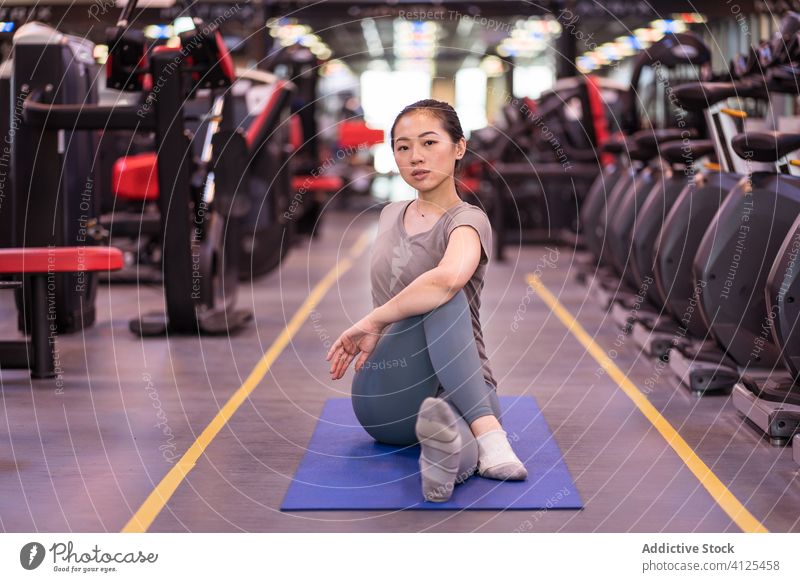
(422, 374)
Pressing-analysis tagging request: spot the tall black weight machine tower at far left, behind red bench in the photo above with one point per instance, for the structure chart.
(51, 171)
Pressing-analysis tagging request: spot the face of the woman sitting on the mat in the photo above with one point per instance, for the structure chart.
(424, 151)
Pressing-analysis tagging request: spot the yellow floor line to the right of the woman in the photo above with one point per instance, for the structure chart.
(721, 494)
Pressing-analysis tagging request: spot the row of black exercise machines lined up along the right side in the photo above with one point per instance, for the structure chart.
(693, 232)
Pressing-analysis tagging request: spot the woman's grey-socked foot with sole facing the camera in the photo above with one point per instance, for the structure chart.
(440, 443)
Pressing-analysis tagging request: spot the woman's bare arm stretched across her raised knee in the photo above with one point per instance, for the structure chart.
(426, 292)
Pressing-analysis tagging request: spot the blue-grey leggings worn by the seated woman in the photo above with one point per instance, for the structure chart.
(424, 355)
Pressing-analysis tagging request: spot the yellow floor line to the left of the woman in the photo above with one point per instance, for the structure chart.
(155, 502)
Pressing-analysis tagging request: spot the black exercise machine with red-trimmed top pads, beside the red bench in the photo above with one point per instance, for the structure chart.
(201, 270)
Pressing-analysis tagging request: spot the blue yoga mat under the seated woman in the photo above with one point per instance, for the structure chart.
(344, 468)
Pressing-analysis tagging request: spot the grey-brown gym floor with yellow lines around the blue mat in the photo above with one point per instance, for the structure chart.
(131, 436)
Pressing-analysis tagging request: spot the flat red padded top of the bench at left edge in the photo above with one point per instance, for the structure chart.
(59, 260)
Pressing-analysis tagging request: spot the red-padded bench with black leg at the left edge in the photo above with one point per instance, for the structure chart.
(37, 354)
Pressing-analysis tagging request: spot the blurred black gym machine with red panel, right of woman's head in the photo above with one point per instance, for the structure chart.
(540, 158)
